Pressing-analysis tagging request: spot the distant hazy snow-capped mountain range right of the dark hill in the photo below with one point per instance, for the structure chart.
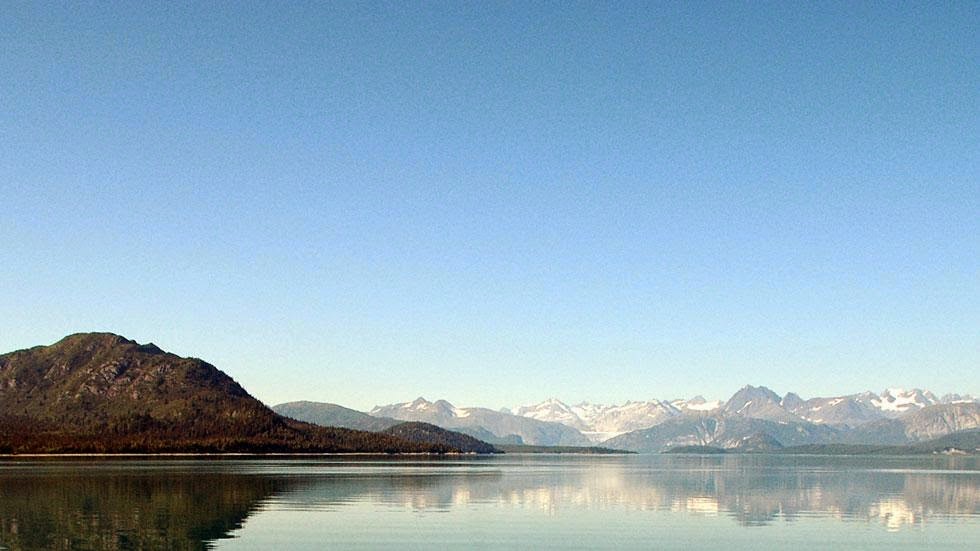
(754, 417)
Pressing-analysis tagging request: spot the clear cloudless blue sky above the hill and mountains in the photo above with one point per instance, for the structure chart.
(496, 203)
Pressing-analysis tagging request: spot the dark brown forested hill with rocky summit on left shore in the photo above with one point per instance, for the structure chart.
(100, 392)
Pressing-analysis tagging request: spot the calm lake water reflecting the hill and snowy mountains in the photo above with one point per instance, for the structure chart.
(526, 502)
